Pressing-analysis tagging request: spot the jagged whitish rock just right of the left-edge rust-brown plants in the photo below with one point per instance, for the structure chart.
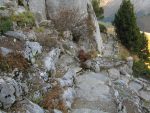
(31, 50)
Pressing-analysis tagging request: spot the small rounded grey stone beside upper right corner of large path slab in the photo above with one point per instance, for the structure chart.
(114, 73)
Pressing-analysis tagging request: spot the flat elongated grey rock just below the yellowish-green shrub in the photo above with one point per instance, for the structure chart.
(16, 34)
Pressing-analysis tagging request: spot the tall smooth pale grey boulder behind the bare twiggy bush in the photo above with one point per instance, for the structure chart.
(84, 7)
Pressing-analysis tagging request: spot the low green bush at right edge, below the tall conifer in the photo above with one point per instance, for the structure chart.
(140, 69)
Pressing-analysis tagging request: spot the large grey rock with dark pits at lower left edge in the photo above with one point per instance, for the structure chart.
(10, 92)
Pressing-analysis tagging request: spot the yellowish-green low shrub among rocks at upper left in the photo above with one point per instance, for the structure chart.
(24, 19)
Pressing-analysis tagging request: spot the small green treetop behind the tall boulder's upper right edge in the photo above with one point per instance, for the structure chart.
(97, 9)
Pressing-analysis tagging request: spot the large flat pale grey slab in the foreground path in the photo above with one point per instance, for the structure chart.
(92, 87)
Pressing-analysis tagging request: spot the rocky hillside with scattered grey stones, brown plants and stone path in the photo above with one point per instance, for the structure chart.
(45, 70)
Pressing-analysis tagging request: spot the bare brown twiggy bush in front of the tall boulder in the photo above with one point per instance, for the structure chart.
(81, 25)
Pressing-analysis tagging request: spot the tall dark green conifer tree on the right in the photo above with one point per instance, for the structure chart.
(128, 31)
